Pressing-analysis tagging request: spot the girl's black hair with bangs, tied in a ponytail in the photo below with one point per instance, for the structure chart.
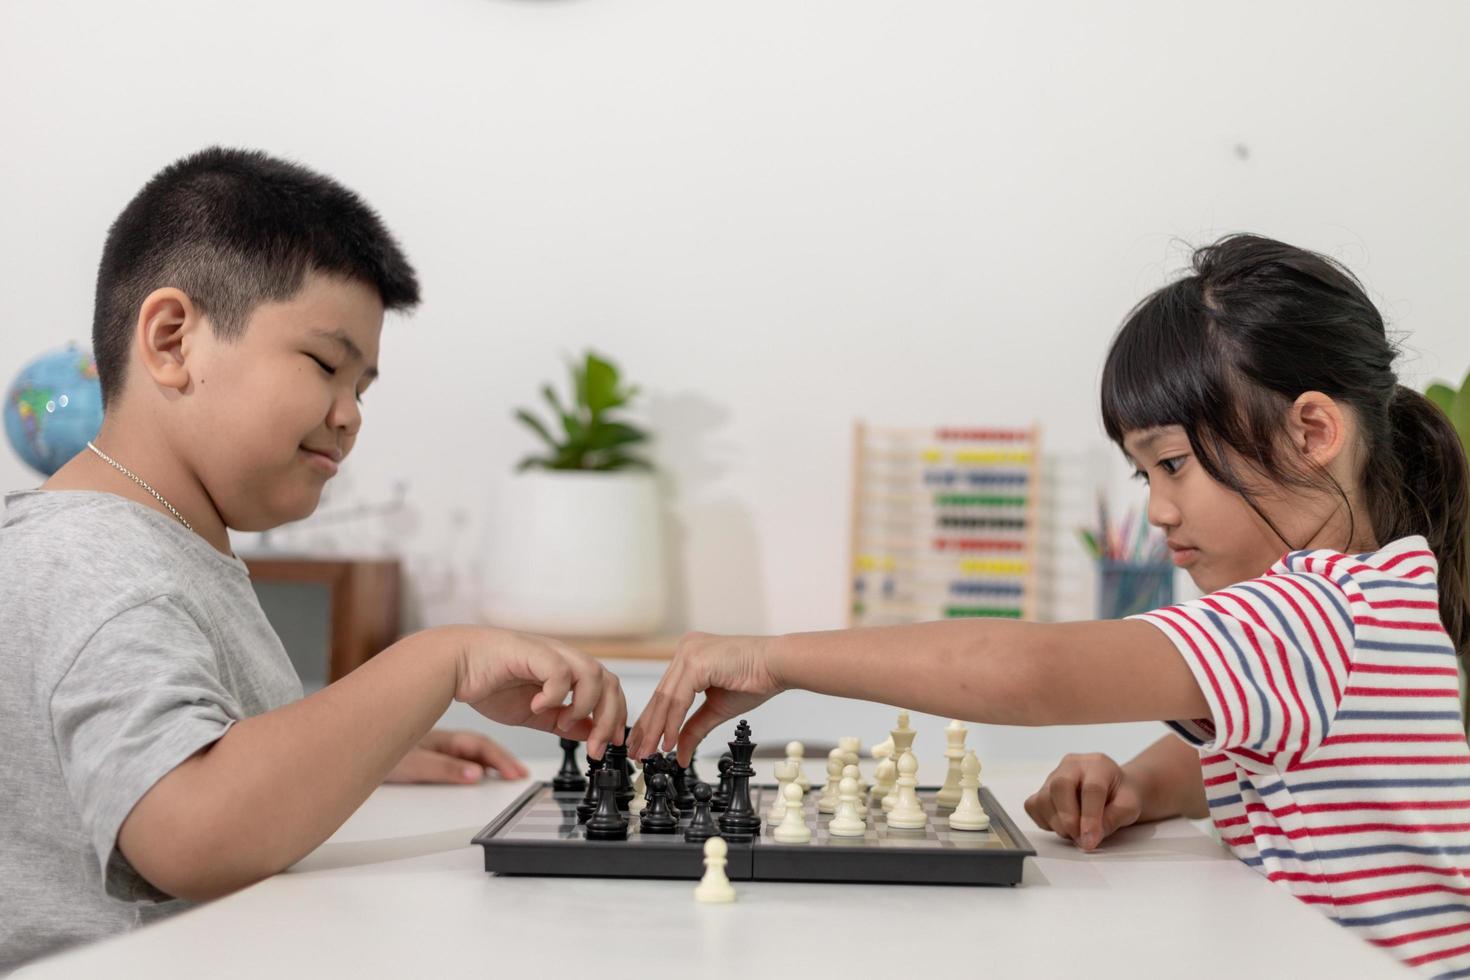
(1225, 352)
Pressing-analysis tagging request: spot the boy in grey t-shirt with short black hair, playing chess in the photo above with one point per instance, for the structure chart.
(158, 747)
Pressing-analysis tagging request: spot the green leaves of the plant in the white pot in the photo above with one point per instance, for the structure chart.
(589, 439)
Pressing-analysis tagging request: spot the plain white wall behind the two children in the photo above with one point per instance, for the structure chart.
(778, 217)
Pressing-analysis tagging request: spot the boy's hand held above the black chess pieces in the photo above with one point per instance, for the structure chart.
(524, 680)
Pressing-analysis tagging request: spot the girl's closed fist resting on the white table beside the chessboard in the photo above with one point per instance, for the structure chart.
(1086, 800)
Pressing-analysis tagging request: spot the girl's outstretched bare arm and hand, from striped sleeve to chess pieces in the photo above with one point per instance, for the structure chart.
(981, 671)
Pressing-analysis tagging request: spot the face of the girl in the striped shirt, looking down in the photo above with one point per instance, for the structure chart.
(1212, 531)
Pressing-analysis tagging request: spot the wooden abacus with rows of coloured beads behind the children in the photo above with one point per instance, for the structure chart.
(925, 550)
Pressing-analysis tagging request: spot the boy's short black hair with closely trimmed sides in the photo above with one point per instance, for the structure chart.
(233, 230)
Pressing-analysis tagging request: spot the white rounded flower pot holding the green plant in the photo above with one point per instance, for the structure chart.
(577, 555)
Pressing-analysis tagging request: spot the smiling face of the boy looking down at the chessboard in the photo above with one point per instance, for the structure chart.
(279, 408)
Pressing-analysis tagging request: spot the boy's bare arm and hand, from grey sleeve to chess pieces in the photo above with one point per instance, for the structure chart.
(277, 785)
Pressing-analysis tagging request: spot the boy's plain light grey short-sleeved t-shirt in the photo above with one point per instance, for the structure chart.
(127, 644)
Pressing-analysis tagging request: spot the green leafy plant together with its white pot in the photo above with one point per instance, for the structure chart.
(577, 547)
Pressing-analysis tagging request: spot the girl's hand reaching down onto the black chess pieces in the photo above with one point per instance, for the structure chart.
(734, 674)
